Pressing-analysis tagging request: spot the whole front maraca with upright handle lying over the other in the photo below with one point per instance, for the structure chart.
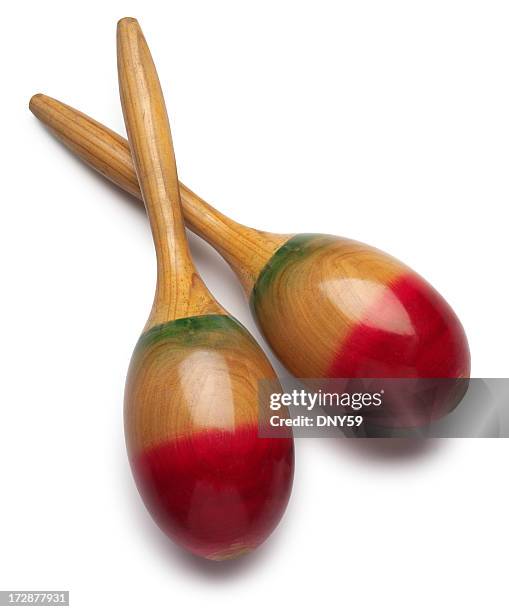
(191, 398)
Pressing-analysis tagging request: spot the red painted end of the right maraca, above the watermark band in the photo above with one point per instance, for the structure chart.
(411, 332)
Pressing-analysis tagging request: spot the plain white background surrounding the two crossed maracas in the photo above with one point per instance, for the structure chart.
(384, 121)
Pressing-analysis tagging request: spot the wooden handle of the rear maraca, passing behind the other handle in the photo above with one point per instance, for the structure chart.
(246, 250)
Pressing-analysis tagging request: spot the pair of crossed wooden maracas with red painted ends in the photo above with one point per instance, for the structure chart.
(329, 307)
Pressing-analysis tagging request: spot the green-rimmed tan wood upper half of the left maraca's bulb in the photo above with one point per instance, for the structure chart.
(192, 375)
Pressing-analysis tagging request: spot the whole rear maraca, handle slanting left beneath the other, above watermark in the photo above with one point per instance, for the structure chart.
(329, 306)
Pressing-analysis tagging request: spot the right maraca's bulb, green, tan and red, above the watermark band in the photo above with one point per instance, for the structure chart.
(335, 308)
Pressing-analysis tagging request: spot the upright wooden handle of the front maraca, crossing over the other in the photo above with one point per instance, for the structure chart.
(180, 291)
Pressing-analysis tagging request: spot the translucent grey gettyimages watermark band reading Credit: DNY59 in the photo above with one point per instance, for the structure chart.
(387, 407)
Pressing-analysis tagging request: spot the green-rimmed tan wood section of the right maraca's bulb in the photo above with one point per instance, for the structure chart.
(337, 282)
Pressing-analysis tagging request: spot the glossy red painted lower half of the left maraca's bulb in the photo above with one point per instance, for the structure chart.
(217, 493)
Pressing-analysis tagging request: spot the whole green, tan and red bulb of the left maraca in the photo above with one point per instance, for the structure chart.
(191, 418)
